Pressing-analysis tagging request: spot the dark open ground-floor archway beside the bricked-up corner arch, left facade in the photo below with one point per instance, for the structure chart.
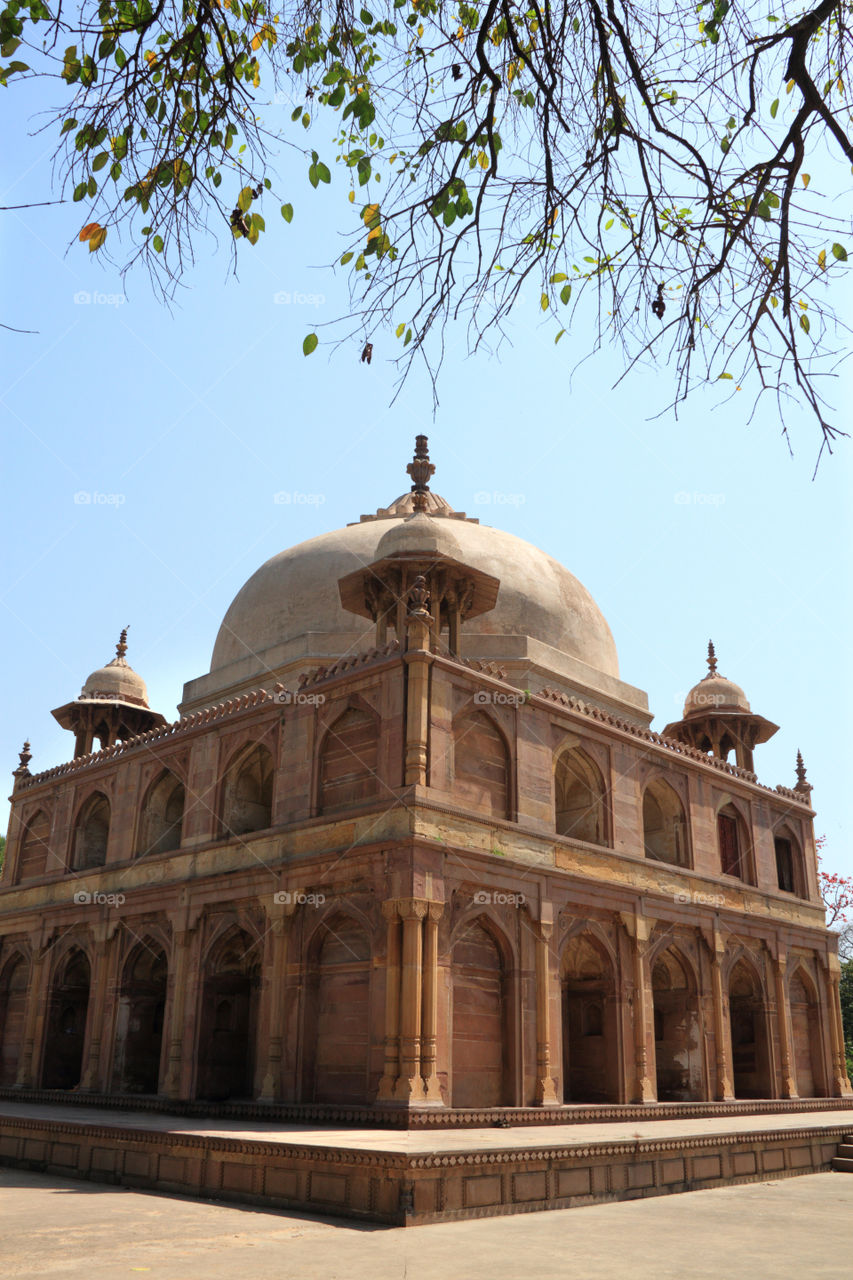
(229, 1027)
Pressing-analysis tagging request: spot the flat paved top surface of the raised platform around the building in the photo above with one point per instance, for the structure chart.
(414, 1142)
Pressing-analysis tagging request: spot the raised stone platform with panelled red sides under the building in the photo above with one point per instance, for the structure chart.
(416, 1177)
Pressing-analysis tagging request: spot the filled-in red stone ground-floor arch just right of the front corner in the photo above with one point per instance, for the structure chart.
(481, 1075)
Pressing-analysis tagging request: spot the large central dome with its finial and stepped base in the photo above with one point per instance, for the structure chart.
(291, 609)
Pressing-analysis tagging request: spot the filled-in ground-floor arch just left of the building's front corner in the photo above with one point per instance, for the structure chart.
(337, 1067)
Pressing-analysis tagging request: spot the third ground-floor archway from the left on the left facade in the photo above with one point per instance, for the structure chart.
(139, 1032)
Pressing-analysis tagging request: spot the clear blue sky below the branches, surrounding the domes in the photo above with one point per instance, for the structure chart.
(183, 427)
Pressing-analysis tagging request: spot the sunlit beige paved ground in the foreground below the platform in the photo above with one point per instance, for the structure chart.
(793, 1229)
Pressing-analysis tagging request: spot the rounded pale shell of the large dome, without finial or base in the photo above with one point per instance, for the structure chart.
(297, 593)
